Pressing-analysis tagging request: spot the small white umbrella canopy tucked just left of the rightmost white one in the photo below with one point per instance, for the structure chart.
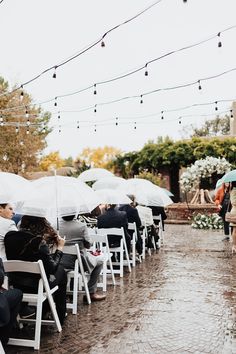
(112, 196)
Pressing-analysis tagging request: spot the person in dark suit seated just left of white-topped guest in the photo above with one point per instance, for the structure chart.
(133, 216)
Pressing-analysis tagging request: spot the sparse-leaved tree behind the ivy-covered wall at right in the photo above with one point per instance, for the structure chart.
(211, 127)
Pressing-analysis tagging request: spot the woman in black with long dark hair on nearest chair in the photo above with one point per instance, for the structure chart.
(32, 242)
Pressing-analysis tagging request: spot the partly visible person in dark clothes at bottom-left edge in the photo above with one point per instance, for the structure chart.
(10, 301)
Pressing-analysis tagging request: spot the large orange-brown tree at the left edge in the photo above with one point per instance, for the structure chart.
(23, 129)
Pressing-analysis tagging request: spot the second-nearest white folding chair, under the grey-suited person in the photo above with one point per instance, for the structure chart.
(78, 274)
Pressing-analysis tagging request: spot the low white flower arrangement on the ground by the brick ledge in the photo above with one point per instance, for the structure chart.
(207, 222)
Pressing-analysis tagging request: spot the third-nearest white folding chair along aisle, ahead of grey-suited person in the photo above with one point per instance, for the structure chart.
(101, 241)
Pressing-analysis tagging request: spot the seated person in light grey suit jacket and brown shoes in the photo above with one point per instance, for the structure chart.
(76, 231)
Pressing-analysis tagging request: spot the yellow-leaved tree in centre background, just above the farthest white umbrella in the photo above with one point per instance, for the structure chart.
(99, 157)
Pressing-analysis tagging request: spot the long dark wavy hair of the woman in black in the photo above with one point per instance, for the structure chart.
(39, 226)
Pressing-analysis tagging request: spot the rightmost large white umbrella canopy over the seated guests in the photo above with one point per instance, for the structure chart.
(146, 193)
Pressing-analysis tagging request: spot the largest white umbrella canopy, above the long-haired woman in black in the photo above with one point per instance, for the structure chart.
(56, 196)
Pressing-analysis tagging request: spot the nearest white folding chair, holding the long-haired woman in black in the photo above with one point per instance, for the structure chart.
(44, 292)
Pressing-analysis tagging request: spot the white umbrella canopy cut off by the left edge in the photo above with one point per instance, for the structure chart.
(12, 187)
